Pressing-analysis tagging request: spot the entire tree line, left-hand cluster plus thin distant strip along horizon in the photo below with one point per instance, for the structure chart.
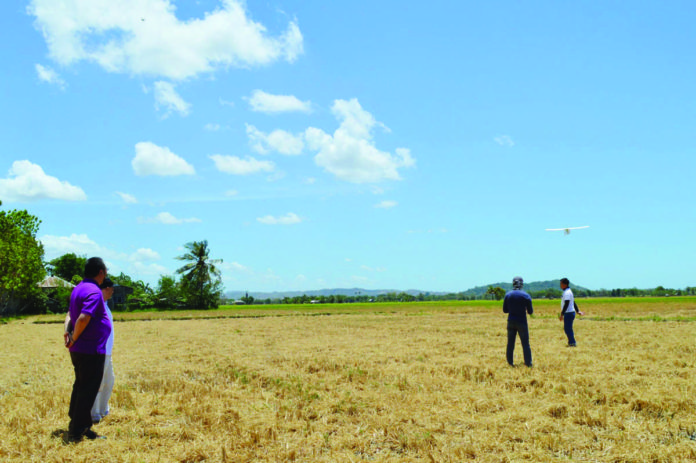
(199, 285)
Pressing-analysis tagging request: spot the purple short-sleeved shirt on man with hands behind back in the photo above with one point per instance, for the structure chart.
(87, 299)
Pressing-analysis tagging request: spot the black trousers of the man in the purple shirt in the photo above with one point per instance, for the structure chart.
(89, 369)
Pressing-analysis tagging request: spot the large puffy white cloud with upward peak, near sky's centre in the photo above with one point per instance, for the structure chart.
(350, 154)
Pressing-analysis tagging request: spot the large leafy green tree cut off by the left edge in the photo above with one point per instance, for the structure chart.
(21, 263)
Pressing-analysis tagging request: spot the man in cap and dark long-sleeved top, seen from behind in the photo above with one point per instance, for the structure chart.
(517, 304)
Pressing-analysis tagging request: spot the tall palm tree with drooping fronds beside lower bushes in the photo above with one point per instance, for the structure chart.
(200, 276)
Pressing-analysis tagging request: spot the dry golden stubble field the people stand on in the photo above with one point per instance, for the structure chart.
(374, 383)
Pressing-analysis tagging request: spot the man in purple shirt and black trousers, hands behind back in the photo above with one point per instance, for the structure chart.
(87, 344)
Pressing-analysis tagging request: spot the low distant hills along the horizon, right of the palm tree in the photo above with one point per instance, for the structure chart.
(477, 291)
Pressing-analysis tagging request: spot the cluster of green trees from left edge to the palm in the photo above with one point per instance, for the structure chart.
(22, 268)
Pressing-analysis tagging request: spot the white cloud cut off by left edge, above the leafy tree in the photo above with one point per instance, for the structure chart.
(28, 182)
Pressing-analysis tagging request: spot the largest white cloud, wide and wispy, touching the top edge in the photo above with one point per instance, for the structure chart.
(144, 37)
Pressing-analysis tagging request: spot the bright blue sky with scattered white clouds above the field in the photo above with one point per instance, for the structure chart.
(357, 144)
